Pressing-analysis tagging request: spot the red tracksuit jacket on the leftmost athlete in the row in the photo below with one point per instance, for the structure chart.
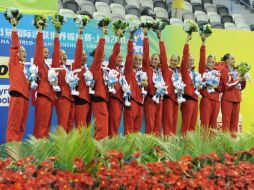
(18, 82)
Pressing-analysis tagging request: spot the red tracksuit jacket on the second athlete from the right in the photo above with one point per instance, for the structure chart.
(215, 96)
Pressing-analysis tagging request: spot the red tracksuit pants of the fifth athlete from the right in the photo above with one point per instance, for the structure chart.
(153, 116)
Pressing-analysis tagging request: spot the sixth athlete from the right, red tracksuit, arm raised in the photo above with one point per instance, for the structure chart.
(133, 114)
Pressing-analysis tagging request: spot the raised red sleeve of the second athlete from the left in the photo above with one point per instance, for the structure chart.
(38, 54)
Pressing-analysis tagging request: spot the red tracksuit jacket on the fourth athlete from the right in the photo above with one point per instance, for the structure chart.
(167, 73)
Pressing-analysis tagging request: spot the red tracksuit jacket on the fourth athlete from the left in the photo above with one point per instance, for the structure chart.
(82, 88)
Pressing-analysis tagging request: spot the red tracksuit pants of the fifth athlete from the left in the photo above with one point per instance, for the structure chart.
(100, 113)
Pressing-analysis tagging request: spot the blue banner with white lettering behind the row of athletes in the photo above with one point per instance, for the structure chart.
(27, 34)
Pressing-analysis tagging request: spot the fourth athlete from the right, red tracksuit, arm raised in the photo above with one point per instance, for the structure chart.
(170, 104)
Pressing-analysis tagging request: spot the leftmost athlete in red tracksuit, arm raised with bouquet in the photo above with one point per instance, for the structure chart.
(19, 90)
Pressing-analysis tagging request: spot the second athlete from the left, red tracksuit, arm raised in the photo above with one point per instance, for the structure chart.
(45, 93)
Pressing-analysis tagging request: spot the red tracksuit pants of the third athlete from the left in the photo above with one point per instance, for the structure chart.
(65, 110)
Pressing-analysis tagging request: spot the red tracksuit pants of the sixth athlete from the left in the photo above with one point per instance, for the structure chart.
(115, 109)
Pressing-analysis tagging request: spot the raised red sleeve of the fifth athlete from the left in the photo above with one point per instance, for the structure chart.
(98, 57)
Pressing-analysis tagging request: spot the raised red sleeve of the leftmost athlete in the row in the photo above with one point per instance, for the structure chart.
(14, 52)
